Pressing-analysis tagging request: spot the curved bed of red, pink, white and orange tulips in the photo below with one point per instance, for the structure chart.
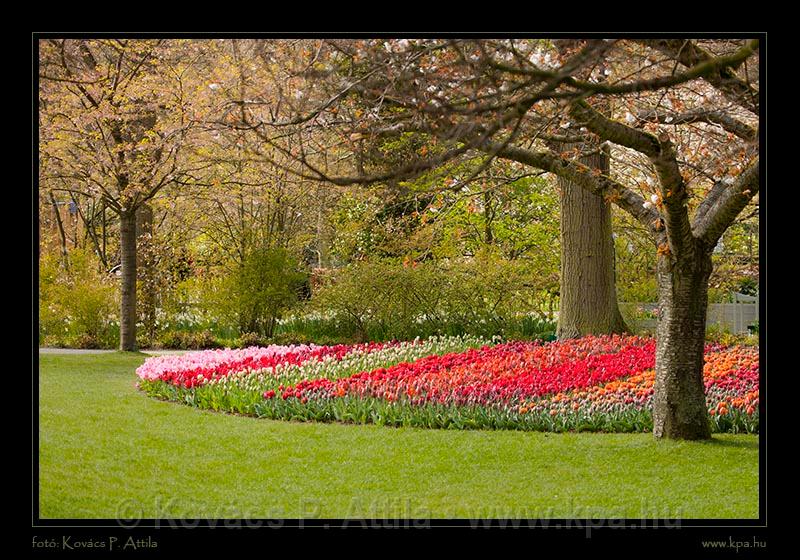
(593, 383)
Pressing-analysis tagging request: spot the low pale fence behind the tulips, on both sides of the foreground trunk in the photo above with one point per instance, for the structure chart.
(734, 317)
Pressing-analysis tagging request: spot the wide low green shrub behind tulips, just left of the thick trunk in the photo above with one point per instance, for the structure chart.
(486, 296)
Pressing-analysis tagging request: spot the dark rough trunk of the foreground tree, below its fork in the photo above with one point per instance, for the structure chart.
(679, 402)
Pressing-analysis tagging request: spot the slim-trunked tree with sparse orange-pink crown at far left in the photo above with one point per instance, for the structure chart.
(114, 118)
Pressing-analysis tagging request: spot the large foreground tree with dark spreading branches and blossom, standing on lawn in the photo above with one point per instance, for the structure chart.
(508, 99)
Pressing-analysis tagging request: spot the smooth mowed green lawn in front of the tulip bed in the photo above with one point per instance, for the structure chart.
(107, 451)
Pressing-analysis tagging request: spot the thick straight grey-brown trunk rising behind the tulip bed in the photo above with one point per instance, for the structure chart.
(588, 276)
